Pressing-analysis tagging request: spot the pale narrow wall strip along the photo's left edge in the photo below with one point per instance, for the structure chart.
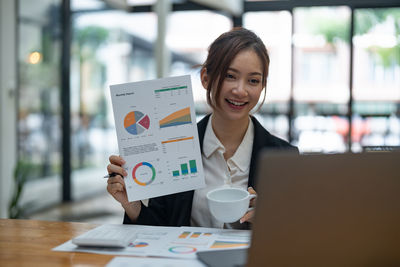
(8, 118)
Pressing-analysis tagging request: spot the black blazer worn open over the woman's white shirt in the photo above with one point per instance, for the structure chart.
(176, 209)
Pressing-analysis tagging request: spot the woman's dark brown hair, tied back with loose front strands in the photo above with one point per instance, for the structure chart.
(221, 53)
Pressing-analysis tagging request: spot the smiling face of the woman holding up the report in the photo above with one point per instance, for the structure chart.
(241, 87)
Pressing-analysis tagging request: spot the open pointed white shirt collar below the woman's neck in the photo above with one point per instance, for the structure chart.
(242, 156)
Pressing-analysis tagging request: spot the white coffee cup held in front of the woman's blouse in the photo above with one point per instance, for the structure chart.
(229, 204)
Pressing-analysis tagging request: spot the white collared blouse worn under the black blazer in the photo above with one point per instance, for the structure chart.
(219, 172)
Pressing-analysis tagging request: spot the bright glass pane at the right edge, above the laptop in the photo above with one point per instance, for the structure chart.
(376, 78)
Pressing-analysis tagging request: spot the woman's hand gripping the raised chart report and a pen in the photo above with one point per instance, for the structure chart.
(116, 184)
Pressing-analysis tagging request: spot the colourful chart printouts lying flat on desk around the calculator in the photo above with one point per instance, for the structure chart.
(171, 242)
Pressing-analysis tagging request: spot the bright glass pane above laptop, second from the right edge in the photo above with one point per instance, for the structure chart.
(321, 78)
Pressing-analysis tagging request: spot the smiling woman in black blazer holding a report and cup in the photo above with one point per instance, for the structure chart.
(234, 75)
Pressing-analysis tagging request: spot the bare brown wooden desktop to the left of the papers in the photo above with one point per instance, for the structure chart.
(29, 243)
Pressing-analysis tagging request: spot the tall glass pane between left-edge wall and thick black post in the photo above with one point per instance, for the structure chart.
(39, 124)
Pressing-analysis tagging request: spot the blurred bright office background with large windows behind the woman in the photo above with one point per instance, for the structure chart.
(333, 86)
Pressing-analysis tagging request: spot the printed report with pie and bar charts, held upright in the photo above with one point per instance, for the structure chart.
(157, 136)
